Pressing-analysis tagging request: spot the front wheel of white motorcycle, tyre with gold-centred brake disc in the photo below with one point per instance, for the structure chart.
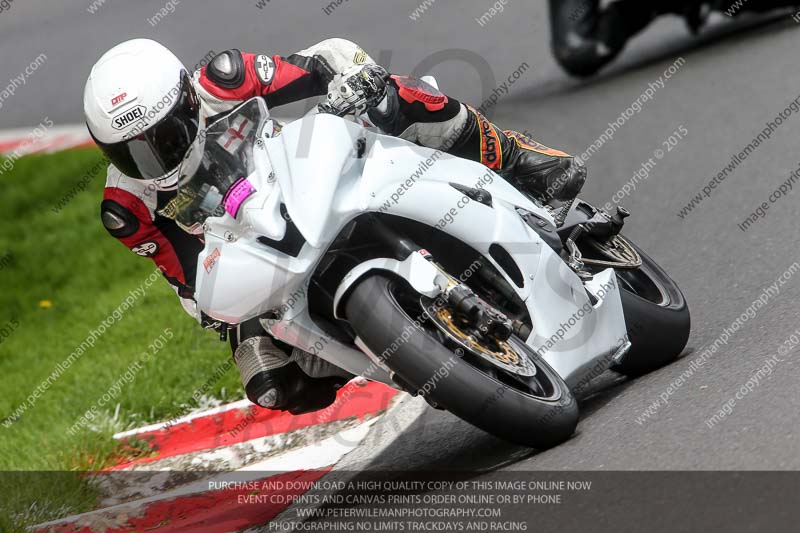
(502, 387)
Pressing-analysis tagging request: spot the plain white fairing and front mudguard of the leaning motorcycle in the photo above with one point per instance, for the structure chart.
(313, 168)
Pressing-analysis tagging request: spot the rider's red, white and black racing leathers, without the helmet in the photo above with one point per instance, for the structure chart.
(290, 379)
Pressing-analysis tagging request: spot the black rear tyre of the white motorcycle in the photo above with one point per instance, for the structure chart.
(658, 333)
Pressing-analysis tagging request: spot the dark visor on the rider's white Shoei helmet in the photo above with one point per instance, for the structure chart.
(159, 150)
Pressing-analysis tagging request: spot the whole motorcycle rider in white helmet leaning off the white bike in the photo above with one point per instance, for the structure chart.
(144, 109)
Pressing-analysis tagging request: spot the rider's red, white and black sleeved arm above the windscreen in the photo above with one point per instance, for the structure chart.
(234, 76)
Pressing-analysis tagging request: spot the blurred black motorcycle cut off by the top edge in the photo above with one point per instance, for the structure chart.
(586, 36)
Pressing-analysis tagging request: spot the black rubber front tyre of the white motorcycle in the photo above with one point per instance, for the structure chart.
(465, 391)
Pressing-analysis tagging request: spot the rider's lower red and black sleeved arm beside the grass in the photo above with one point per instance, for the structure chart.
(129, 214)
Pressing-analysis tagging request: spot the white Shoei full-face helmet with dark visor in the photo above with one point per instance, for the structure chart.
(141, 109)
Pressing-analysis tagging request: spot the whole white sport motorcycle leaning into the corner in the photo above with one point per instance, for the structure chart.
(421, 270)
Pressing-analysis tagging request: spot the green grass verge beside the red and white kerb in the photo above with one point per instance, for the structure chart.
(66, 258)
